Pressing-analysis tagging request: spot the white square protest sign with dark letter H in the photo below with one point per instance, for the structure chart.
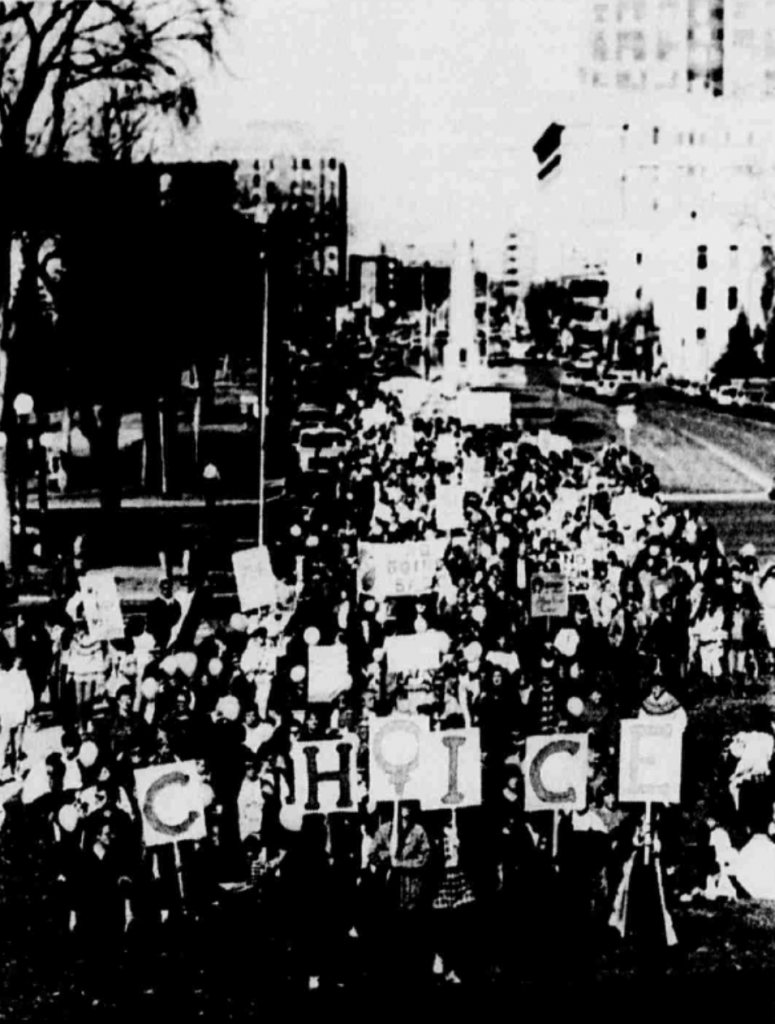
(325, 776)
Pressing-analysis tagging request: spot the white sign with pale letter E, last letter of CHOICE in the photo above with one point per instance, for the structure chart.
(651, 762)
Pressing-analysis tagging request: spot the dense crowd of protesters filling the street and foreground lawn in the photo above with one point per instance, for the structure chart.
(660, 620)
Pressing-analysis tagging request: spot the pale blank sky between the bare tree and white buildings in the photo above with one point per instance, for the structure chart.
(435, 105)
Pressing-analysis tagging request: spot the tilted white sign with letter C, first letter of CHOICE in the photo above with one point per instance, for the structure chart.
(171, 802)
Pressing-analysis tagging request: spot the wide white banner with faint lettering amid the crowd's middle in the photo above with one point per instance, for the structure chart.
(400, 570)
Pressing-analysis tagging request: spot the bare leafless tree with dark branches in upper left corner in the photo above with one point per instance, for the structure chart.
(62, 66)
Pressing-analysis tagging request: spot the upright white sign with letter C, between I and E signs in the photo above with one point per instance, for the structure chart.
(556, 772)
